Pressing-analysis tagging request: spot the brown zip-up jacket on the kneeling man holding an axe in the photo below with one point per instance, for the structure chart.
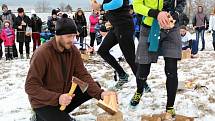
(45, 81)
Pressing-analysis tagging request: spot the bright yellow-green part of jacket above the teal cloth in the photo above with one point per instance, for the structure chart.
(143, 6)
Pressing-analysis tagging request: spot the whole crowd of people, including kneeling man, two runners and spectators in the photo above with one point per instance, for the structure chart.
(160, 27)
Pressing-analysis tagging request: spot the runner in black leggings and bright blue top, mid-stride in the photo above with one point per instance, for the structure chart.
(122, 34)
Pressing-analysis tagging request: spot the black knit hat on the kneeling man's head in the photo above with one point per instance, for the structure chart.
(65, 26)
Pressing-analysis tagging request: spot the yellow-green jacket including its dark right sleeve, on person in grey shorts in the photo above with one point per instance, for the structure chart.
(149, 7)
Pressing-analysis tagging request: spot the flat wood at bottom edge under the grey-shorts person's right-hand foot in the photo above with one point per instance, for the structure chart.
(165, 117)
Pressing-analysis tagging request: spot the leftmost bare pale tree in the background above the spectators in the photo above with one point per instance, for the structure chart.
(42, 6)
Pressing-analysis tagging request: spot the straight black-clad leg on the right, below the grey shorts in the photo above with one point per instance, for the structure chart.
(172, 81)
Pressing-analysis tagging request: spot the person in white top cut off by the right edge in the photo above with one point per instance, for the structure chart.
(212, 26)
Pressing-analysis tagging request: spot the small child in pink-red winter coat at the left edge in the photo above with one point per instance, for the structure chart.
(8, 37)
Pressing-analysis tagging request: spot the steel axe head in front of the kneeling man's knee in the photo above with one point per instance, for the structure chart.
(83, 85)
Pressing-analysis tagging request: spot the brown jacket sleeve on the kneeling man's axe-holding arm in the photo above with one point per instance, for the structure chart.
(34, 84)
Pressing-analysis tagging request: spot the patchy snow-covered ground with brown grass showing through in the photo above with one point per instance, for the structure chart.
(198, 103)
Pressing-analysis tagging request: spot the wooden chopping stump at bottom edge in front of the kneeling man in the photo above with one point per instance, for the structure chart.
(107, 117)
